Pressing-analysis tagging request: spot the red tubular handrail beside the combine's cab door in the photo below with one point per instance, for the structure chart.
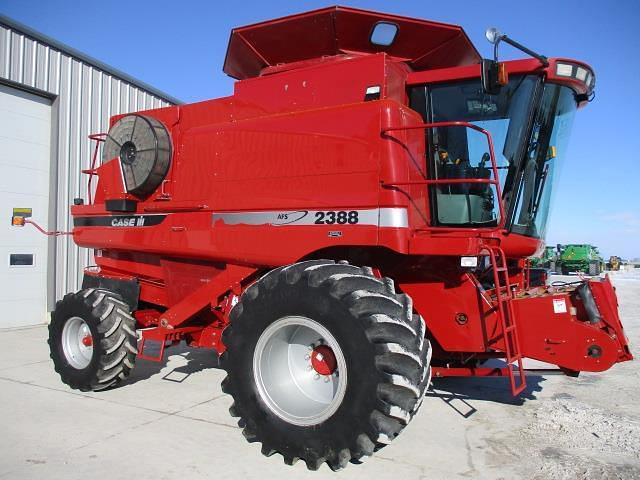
(494, 168)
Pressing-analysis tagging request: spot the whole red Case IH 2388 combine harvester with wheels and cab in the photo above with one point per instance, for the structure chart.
(352, 221)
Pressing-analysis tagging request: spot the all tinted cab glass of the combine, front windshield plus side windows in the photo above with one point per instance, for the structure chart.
(529, 137)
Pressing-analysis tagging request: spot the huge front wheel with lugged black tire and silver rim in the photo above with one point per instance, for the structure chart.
(333, 412)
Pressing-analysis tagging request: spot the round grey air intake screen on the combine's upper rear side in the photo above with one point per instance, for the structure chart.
(143, 146)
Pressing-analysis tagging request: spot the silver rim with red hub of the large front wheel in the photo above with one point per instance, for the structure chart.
(300, 370)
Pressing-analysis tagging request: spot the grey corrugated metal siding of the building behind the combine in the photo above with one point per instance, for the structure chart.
(86, 97)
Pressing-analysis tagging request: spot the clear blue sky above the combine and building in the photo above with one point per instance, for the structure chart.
(179, 48)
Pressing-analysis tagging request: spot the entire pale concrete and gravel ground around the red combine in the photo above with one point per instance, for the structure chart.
(175, 425)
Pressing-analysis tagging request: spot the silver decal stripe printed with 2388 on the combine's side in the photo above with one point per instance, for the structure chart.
(382, 217)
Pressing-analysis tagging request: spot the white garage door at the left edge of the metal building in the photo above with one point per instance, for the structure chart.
(25, 139)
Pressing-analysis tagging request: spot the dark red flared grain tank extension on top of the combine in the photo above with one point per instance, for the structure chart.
(336, 30)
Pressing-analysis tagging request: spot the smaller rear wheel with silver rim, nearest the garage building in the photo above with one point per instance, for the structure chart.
(92, 339)
